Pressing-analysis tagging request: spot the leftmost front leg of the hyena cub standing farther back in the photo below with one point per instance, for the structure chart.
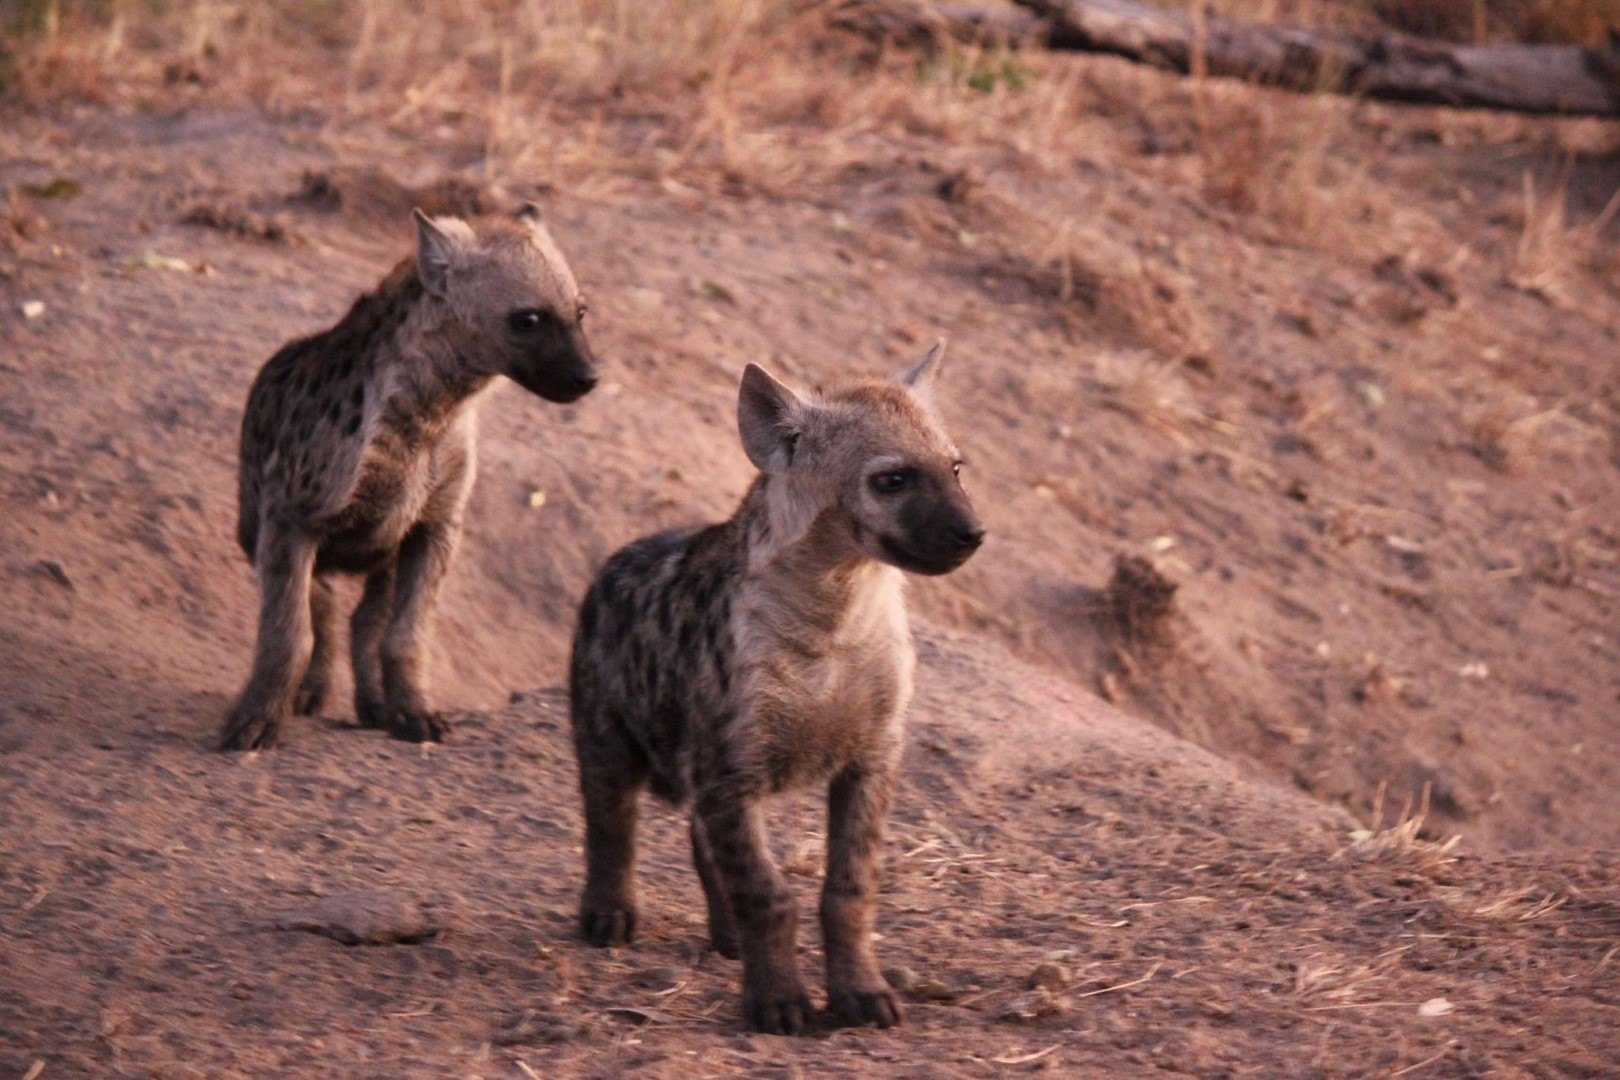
(286, 563)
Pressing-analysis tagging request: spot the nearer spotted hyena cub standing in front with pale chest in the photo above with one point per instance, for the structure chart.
(723, 665)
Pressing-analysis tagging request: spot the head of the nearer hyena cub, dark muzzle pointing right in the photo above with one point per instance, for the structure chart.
(871, 461)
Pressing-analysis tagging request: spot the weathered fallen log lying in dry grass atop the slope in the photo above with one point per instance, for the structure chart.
(1566, 80)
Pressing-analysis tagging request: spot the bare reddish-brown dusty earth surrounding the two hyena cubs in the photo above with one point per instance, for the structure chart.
(1383, 482)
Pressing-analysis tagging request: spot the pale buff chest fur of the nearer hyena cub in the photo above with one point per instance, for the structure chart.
(825, 686)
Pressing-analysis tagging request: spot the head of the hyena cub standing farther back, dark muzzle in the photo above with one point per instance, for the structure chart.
(513, 297)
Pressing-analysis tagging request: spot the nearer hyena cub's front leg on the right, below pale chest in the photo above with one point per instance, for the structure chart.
(858, 810)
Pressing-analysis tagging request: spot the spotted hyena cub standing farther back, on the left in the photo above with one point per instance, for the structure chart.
(359, 454)
